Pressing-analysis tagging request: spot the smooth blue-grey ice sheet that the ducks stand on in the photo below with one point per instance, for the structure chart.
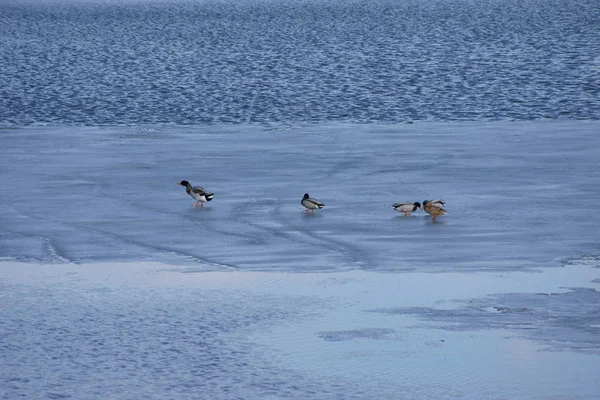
(518, 195)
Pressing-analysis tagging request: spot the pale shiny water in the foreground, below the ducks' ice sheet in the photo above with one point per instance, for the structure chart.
(146, 331)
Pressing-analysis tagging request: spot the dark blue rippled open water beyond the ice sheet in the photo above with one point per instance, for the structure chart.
(69, 62)
